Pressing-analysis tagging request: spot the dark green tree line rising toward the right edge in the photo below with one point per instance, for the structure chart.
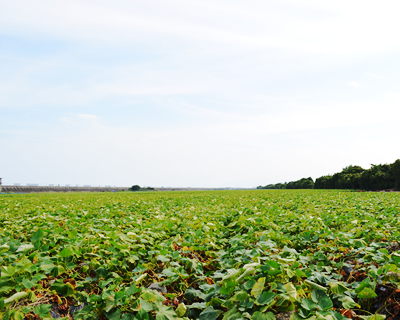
(378, 177)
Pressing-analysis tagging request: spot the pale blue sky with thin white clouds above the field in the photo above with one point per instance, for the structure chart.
(190, 93)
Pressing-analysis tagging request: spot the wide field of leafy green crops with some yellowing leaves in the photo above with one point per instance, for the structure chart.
(259, 254)
